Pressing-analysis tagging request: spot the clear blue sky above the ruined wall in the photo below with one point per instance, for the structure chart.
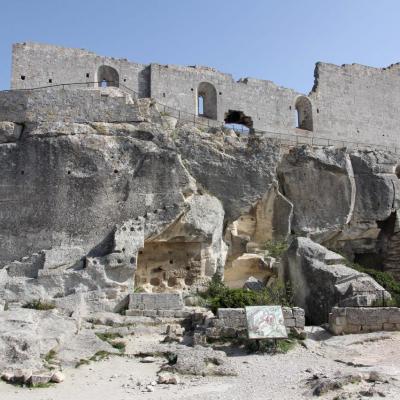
(278, 40)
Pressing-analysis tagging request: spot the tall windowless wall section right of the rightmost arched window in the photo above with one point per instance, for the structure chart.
(358, 103)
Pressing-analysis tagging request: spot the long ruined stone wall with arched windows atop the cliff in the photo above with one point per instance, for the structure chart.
(349, 104)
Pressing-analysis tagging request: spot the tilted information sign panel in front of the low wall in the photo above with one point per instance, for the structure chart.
(265, 322)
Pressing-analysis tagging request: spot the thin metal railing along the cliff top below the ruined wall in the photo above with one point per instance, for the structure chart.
(283, 139)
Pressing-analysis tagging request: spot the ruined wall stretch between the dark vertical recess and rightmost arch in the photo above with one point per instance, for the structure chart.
(271, 107)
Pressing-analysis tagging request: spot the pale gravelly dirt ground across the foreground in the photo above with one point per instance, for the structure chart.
(260, 377)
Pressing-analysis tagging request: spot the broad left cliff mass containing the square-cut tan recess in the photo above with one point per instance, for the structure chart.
(92, 209)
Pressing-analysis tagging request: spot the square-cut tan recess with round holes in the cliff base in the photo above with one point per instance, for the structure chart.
(168, 266)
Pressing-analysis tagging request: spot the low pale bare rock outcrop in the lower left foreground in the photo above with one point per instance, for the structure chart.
(27, 337)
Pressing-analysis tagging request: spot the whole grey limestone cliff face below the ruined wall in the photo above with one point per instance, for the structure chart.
(92, 209)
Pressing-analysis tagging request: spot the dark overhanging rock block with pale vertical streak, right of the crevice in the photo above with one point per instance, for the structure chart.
(346, 200)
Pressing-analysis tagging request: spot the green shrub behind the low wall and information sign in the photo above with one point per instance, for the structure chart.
(218, 295)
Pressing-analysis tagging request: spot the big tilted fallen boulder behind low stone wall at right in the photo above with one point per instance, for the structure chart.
(320, 280)
